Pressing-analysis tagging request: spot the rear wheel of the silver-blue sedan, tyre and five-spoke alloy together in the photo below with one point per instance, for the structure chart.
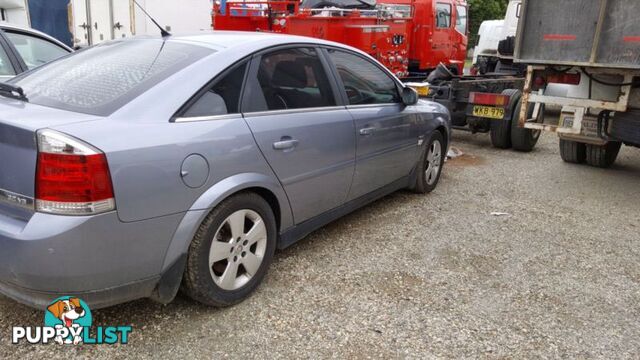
(209, 276)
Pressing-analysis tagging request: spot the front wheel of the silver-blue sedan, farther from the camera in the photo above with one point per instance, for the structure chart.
(431, 163)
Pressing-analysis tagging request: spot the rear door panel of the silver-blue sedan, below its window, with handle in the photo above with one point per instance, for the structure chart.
(323, 157)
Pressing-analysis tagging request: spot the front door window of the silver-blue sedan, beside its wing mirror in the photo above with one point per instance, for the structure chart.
(364, 82)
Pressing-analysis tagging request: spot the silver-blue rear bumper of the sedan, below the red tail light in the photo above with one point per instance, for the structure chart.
(98, 258)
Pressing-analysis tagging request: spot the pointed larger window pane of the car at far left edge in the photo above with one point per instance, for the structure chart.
(35, 51)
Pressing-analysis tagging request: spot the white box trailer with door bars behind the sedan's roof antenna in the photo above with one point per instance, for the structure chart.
(95, 21)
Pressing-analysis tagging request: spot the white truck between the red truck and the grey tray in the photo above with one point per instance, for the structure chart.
(496, 43)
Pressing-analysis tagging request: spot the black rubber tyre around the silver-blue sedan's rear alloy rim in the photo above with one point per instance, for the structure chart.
(194, 283)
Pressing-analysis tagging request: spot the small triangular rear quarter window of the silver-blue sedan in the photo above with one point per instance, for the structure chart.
(222, 98)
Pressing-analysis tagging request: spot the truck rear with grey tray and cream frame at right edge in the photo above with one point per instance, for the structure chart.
(596, 51)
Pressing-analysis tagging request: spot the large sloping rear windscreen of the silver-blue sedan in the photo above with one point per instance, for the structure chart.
(102, 79)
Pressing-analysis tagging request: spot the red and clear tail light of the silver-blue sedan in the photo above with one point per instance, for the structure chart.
(72, 177)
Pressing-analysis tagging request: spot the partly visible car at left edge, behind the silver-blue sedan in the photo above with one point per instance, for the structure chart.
(23, 49)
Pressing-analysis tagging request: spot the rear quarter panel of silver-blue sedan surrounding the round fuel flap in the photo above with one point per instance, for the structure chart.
(145, 161)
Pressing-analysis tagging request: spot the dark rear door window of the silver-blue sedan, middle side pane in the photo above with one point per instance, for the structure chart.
(290, 79)
